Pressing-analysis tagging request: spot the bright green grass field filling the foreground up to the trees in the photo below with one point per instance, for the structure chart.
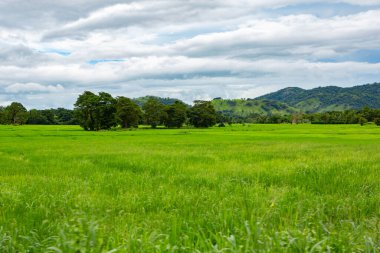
(254, 188)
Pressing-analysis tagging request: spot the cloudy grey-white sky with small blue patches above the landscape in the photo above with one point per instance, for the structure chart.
(51, 51)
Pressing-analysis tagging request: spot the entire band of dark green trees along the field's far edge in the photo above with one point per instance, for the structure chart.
(101, 111)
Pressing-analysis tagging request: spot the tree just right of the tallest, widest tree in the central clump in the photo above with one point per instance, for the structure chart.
(127, 112)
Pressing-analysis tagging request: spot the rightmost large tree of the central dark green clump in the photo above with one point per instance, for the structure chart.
(202, 114)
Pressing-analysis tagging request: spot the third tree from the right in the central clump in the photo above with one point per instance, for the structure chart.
(154, 112)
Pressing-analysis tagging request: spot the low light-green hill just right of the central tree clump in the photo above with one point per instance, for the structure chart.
(246, 107)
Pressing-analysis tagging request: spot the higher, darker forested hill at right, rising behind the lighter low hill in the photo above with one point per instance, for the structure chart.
(329, 98)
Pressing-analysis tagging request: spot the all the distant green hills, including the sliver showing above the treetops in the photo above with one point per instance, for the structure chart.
(294, 99)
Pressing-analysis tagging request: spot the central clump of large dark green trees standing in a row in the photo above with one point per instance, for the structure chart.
(102, 111)
